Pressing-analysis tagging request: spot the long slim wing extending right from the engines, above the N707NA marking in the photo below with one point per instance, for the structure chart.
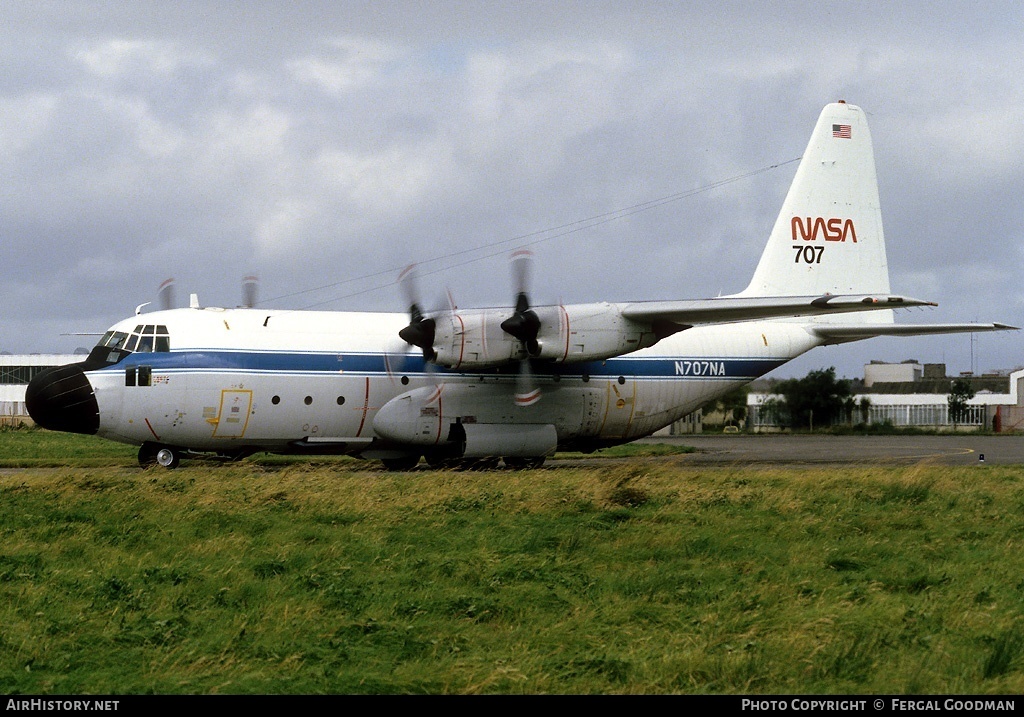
(744, 309)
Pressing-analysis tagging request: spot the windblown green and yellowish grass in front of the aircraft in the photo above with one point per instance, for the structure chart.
(641, 577)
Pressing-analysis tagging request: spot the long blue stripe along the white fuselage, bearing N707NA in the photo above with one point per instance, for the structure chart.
(307, 363)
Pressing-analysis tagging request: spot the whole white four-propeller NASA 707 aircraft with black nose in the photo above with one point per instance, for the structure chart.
(513, 385)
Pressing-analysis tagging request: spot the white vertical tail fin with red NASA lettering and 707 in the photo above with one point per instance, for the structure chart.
(829, 237)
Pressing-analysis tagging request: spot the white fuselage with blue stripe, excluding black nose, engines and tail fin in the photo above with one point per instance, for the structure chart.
(271, 381)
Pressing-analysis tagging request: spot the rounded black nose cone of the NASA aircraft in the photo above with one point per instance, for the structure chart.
(62, 399)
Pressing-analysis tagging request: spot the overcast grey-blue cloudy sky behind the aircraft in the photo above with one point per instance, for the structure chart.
(325, 146)
